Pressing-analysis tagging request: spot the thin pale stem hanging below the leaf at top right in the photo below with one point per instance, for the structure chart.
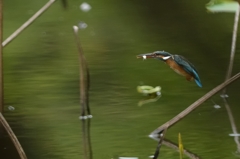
(233, 48)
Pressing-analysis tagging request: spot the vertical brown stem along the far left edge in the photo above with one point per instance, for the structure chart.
(1, 59)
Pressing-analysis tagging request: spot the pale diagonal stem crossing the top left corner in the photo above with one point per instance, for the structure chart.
(27, 23)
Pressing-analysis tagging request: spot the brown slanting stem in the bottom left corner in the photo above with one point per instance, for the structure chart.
(13, 137)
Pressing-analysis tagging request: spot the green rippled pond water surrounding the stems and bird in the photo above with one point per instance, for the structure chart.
(41, 75)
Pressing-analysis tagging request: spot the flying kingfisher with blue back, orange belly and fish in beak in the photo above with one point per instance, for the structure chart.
(176, 62)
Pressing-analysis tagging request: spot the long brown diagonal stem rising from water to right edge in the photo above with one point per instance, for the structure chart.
(196, 104)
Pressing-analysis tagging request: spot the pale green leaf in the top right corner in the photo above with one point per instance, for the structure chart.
(222, 6)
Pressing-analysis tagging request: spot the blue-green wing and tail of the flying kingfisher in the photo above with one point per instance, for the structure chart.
(189, 67)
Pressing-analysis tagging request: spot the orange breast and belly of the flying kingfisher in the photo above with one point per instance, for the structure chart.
(178, 69)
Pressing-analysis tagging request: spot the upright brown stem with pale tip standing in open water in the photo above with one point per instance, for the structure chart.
(84, 77)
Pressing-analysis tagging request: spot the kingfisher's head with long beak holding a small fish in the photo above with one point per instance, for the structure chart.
(160, 55)
